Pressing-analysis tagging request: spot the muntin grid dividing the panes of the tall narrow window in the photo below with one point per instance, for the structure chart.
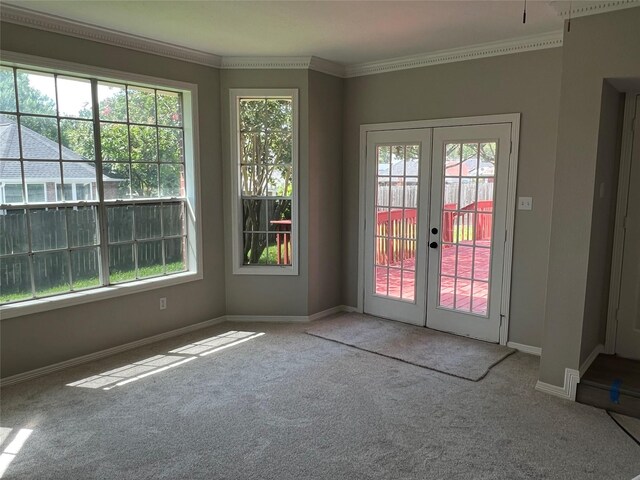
(288, 135)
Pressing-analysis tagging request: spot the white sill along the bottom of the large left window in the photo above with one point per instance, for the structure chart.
(86, 296)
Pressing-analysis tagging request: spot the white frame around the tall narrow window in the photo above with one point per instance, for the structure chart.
(236, 211)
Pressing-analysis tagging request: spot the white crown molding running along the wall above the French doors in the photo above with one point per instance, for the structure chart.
(472, 52)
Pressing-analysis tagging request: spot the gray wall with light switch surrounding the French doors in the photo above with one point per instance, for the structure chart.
(528, 83)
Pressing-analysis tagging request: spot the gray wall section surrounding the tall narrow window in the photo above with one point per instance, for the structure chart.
(268, 294)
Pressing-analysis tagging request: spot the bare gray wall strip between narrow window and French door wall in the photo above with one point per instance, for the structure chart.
(325, 191)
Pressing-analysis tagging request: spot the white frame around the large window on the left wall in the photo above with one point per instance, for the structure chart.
(192, 180)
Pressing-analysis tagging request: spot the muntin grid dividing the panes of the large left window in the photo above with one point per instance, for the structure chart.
(100, 203)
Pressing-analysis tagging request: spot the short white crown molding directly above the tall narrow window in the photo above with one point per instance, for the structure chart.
(286, 63)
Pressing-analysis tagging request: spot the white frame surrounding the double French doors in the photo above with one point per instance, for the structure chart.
(510, 118)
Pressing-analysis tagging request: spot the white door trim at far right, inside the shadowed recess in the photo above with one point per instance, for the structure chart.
(621, 212)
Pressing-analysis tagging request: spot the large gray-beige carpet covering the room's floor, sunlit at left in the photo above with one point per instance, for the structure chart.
(290, 406)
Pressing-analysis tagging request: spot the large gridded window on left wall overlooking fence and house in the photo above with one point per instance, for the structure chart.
(97, 180)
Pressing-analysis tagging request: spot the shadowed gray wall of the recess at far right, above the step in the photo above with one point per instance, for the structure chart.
(603, 220)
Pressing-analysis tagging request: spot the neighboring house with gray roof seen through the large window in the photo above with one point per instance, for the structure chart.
(43, 179)
